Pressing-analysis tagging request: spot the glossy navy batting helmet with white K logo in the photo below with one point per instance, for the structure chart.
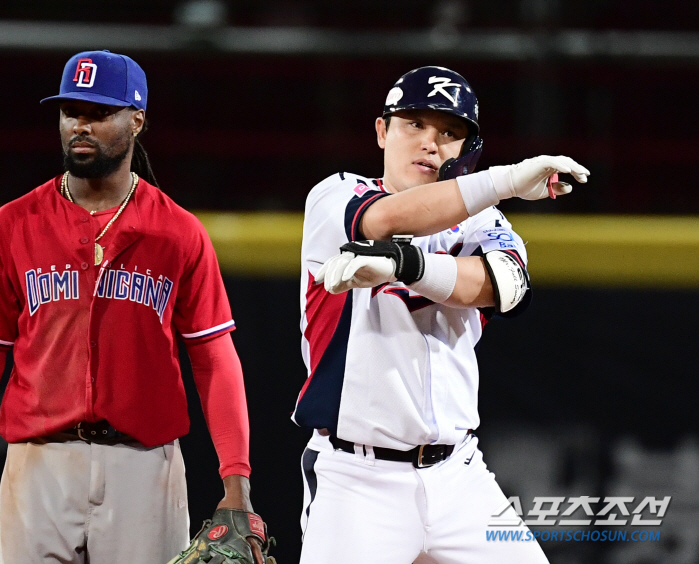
(441, 89)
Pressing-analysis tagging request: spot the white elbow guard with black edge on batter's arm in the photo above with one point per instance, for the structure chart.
(511, 286)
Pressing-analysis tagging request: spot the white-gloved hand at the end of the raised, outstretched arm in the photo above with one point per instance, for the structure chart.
(528, 179)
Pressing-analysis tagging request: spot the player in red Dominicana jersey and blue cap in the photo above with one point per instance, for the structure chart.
(100, 274)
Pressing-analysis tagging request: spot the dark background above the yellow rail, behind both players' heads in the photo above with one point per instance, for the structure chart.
(232, 129)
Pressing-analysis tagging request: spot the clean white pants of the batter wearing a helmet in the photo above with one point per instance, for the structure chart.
(359, 509)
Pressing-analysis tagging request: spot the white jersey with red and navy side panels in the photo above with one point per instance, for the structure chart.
(386, 366)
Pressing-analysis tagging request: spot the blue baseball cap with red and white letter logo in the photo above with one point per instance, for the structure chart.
(103, 77)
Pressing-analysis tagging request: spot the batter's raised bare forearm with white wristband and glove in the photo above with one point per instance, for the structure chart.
(430, 208)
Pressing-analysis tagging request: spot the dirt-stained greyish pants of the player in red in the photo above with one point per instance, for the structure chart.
(76, 502)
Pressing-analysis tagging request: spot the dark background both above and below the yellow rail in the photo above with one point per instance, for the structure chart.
(594, 391)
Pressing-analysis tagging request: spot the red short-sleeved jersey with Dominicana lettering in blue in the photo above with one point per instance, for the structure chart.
(100, 342)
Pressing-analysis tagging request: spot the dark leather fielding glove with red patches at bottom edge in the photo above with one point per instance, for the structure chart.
(223, 540)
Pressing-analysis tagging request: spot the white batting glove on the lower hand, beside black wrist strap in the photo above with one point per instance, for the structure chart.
(345, 271)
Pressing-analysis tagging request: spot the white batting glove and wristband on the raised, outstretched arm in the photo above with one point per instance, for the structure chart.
(526, 180)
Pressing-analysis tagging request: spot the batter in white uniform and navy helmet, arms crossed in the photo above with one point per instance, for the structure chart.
(393, 472)
